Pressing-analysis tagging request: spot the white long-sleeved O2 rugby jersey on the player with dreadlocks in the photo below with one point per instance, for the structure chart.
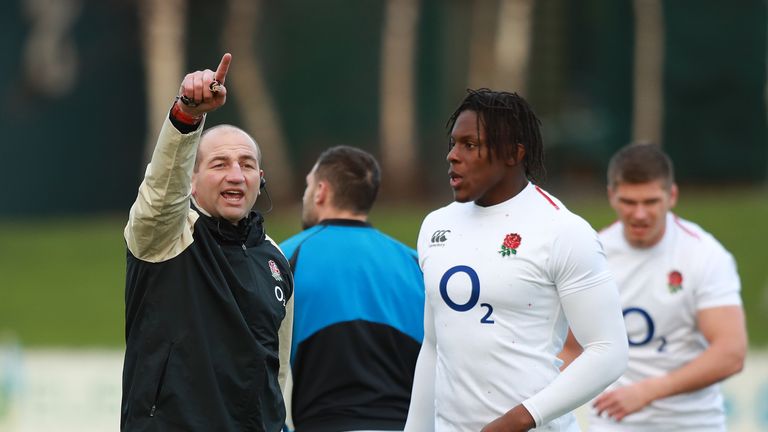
(499, 282)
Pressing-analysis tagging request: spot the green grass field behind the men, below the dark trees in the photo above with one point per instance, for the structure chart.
(62, 280)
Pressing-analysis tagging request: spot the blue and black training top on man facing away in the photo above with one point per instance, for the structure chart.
(358, 326)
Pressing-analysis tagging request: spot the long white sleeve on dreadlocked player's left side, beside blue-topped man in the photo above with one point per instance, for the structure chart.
(421, 413)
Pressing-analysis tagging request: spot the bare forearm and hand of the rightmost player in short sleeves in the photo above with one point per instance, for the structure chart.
(723, 327)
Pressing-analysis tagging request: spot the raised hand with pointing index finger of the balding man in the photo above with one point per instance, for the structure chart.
(204, 91)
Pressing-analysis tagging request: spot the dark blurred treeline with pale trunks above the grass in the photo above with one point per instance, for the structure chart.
(74, 113)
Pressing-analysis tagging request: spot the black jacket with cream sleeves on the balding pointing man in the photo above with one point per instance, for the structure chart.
(203, 315)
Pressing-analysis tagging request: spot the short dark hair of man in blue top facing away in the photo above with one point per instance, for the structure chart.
(353, 174)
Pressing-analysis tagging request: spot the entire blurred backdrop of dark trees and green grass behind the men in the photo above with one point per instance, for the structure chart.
(88, 82)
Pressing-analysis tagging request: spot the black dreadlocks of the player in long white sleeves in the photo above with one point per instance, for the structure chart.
(508, 120)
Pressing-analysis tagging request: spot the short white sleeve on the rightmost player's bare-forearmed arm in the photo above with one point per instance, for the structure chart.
(720, 284)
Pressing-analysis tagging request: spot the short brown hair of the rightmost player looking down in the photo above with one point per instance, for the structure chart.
(640, 163)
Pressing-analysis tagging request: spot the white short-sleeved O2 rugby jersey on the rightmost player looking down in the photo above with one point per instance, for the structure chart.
(662, 288)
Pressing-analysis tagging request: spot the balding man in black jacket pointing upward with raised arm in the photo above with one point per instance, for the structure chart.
(208, 295)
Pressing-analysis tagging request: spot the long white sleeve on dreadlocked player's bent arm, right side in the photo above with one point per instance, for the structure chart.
(590, 301)
